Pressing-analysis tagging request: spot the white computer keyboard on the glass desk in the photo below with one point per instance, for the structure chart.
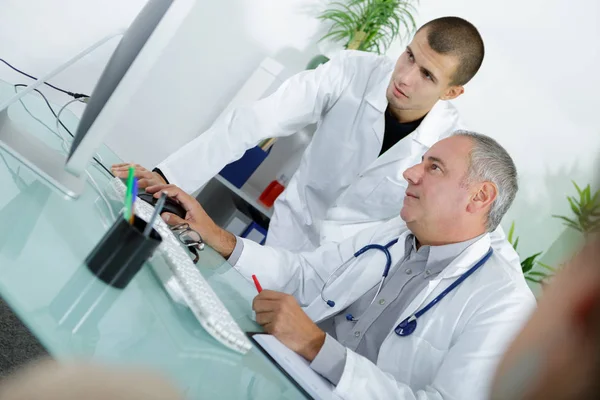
(188, 286)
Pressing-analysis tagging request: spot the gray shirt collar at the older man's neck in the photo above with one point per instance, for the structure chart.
(437, 257)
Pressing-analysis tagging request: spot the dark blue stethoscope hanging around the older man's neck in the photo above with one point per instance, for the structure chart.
(408, 325)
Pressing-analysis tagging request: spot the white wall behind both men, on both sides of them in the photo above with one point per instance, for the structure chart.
(536, 92)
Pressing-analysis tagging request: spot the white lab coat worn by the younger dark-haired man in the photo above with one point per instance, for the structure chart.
(341, 186)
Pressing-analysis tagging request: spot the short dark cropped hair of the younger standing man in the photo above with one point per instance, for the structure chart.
(457, 37)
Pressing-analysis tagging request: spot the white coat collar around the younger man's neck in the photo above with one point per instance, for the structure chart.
(431, 128)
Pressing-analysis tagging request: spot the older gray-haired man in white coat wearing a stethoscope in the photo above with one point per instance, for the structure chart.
(419, 307)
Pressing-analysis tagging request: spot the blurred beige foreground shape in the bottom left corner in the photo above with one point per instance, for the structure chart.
(49, 380)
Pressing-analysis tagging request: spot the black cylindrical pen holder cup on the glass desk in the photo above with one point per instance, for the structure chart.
(122, 251)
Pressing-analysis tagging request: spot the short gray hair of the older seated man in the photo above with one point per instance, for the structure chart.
(489, 161)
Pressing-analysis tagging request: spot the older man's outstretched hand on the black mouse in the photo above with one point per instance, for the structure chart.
(213, 235)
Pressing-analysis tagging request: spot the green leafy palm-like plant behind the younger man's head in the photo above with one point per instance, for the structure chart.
(368, 25)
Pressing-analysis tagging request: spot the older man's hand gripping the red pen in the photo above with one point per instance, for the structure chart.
(280, 315)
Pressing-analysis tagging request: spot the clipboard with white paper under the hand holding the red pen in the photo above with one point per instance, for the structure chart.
(293, 366)
